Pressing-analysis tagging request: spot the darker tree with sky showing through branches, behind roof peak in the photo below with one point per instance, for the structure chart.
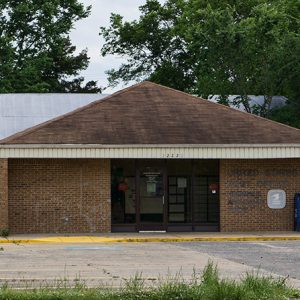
(153, 47)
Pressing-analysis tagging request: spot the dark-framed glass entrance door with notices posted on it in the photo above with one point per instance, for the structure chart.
(151, 199)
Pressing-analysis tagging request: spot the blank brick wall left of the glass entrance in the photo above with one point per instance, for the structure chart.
(59, 195)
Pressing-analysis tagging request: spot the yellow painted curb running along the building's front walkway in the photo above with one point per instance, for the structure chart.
(92, 239)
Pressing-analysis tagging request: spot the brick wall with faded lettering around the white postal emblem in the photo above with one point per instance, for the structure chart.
(244, 185)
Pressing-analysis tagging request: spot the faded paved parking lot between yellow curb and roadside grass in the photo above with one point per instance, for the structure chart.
(113, 263)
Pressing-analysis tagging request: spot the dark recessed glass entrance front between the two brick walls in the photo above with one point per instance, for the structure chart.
(165, 195)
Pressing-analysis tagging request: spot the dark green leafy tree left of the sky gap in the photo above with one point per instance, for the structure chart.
(36, 54)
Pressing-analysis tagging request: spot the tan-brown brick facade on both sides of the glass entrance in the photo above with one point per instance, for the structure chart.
(73, 195)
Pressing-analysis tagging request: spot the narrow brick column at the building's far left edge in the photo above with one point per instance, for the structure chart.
(3, 194)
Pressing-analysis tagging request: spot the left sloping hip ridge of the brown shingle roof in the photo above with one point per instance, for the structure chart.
(83, 108)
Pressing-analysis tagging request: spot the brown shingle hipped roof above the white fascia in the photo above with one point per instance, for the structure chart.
(148, 113)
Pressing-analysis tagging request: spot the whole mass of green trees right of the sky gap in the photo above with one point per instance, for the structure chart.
(209, 47)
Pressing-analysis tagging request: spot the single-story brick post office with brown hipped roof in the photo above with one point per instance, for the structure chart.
(150, 158)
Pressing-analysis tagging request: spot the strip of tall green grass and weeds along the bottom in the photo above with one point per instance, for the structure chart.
(207, 286)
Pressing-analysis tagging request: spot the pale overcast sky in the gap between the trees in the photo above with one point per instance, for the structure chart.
(86, 35)
